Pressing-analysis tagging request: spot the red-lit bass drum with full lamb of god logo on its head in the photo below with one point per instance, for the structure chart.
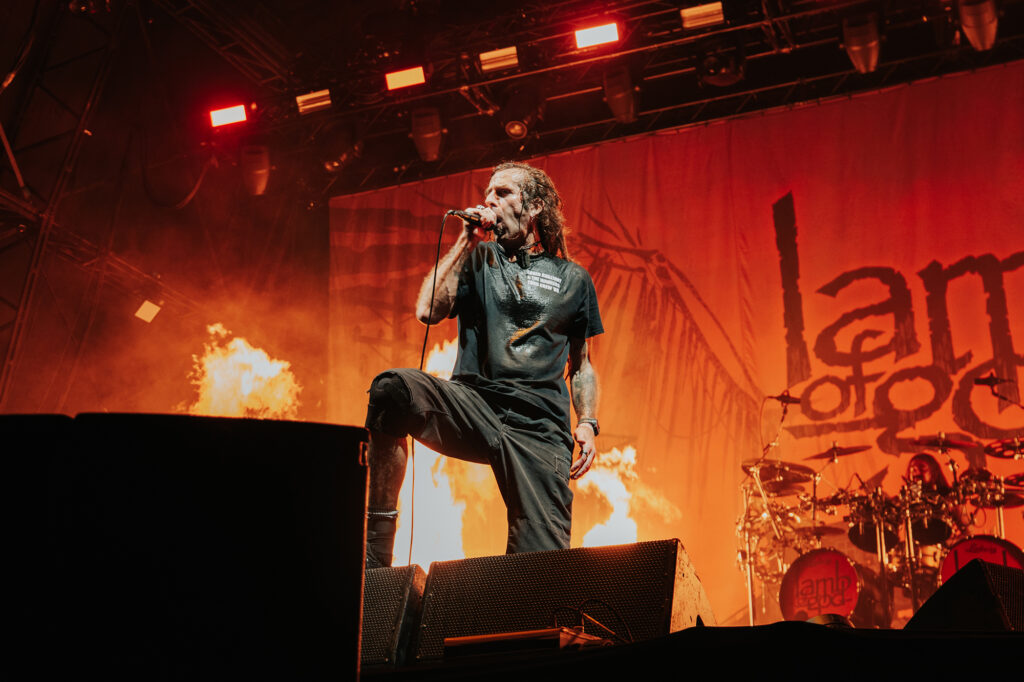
(825, 582)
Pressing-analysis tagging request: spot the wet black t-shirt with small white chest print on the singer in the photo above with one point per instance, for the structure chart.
(516, 322)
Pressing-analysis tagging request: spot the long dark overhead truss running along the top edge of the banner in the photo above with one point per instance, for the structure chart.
(672, 95)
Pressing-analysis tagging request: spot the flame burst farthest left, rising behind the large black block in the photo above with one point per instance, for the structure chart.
(234, 379)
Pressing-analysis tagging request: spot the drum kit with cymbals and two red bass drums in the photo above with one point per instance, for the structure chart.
(919, 537)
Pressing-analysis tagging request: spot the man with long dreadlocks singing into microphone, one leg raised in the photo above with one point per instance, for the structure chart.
(526, 313)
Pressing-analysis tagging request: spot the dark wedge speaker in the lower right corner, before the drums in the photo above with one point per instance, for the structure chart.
(980, 596)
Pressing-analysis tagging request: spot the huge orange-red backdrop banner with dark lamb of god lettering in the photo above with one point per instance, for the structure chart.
(867, 255)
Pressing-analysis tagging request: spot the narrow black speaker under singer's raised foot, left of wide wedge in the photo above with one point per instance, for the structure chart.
(392, 604)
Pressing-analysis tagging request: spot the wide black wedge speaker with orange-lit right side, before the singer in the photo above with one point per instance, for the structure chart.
(638, 591)
